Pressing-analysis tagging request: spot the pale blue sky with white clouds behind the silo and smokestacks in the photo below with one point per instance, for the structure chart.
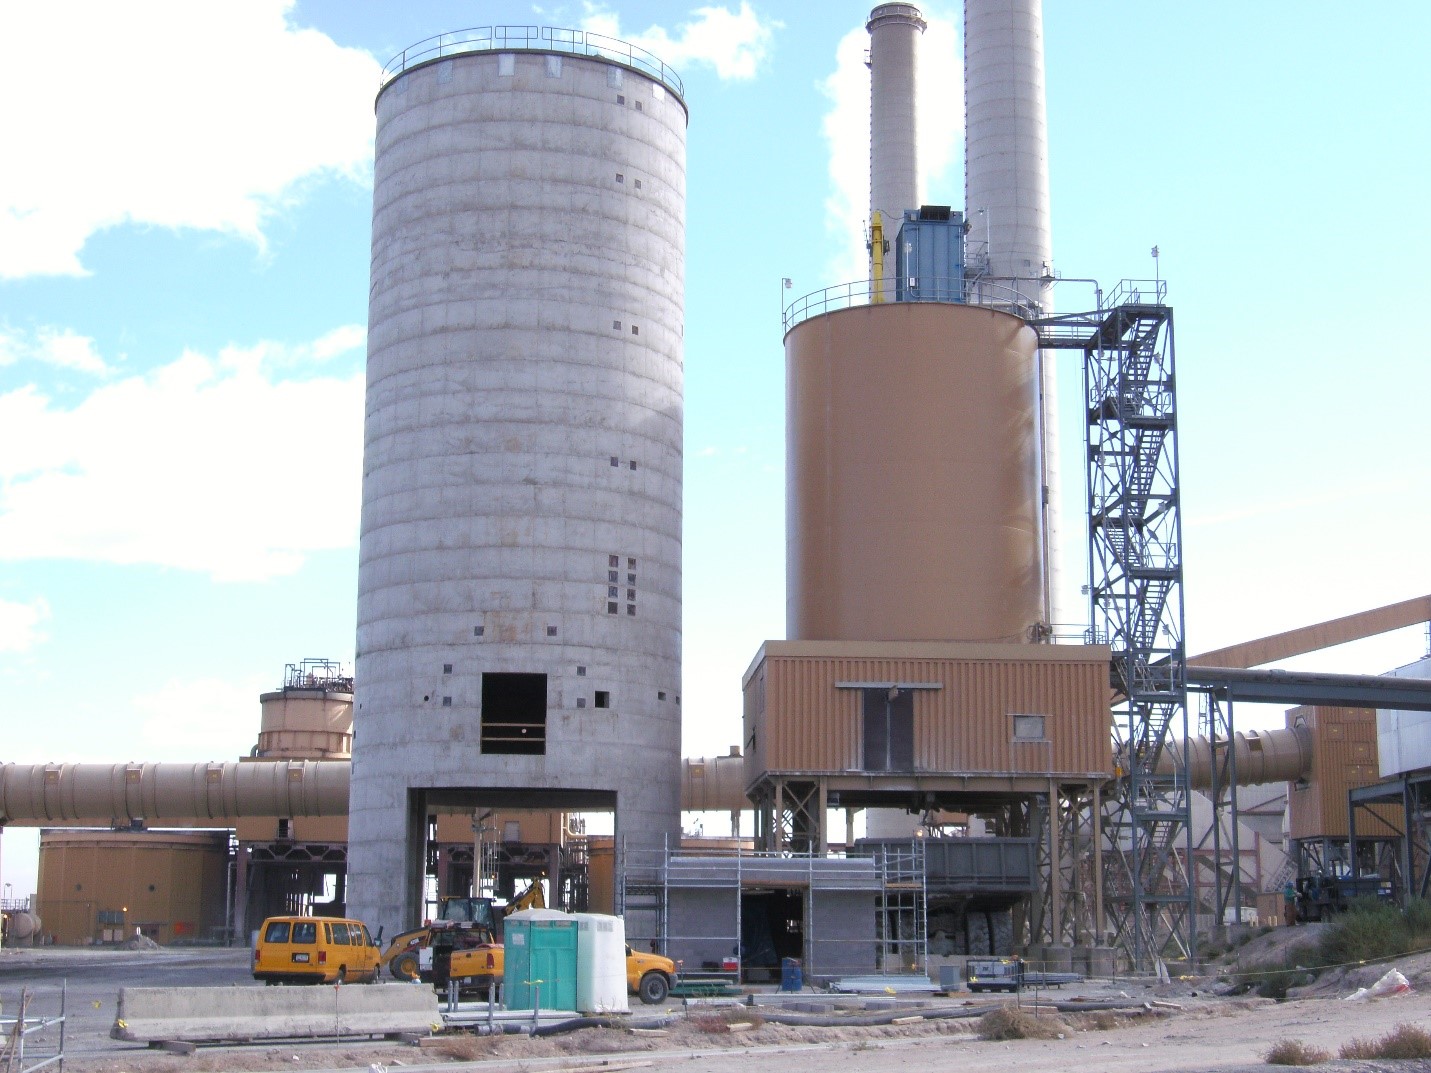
(185, 210)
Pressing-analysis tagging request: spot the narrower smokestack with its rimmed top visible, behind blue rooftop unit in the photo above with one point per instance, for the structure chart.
(895, 32)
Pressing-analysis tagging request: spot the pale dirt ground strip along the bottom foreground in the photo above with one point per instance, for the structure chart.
(1186, 1027)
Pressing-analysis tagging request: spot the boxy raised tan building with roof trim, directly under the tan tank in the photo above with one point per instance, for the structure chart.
(799, 720)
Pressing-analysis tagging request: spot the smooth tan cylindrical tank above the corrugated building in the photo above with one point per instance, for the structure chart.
(912, 467)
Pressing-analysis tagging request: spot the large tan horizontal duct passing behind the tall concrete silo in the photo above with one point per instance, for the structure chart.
(215, 795)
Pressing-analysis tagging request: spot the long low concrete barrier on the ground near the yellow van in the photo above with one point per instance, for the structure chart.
(152, 1015)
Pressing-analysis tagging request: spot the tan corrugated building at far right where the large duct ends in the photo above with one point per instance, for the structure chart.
(1344, 758)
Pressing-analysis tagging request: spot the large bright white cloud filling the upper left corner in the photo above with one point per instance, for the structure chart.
(170, 114)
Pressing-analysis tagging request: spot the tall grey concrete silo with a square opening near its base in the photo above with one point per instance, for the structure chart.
(519, 610)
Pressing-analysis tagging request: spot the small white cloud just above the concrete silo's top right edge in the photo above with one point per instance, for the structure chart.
(735, 44)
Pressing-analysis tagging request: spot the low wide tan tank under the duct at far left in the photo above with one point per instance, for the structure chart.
(171, 885)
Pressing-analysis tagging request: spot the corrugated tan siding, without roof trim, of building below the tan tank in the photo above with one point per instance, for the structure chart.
(965, 726)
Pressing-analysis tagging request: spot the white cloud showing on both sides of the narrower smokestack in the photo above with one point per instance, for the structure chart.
(848, 132)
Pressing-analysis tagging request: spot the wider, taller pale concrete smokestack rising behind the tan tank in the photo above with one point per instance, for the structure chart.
(1007, 191)
